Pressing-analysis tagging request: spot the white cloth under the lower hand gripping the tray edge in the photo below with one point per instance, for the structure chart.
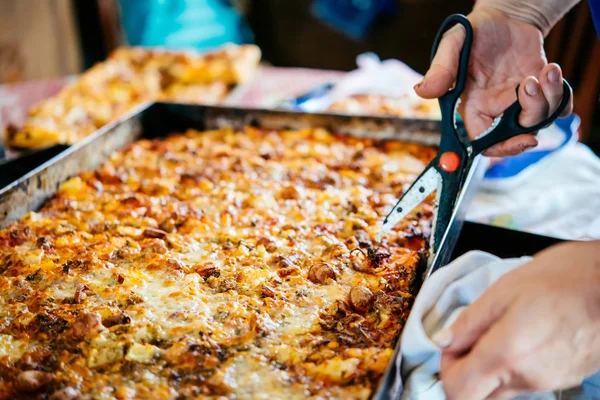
(441, 299)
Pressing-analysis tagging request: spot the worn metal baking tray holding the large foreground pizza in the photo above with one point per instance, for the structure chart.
(161, 119)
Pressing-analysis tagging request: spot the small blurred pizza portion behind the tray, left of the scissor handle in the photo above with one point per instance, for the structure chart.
(407, 106)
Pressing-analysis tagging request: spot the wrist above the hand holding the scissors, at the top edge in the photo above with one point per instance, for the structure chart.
(541, 13)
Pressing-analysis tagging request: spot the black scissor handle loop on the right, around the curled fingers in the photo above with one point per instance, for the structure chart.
(508, 126)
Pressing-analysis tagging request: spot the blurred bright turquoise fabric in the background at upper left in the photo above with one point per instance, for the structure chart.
(176, 24)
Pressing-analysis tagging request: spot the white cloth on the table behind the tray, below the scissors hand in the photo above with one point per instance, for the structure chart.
(559, 196)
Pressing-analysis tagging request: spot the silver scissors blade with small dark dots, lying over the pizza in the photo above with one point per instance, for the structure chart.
(427, 182)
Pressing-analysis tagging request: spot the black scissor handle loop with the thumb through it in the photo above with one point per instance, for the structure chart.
(465, 53)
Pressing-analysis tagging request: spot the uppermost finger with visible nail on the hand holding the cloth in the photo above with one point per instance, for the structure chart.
(473, 322)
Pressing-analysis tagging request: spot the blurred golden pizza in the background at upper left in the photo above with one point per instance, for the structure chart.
(128, 78)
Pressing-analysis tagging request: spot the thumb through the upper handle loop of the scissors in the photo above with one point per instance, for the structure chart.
(443, 70)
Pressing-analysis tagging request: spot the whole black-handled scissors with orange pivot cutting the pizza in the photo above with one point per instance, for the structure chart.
(448, 171)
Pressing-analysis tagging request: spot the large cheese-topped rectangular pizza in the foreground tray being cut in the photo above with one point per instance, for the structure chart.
(214, 265)
